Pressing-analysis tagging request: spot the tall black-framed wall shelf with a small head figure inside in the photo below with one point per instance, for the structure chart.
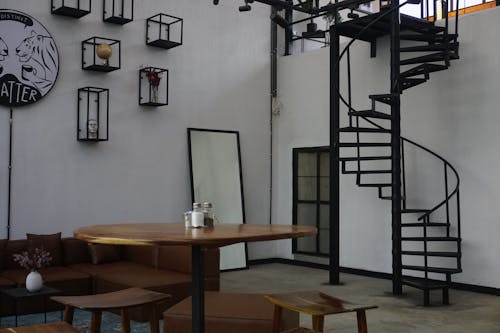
(93, 114)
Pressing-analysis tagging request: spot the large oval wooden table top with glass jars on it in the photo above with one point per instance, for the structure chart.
(177, 233)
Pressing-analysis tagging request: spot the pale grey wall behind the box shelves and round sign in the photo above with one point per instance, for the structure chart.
(219, 79)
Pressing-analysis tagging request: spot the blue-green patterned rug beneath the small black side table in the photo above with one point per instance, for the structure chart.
(110, 322)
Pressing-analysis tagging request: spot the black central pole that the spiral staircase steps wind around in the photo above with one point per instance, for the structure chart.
(397, 272)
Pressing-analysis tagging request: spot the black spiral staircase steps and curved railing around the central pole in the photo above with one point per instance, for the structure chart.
(430, 241)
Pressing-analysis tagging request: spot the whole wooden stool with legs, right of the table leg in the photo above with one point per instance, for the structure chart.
(317, 305)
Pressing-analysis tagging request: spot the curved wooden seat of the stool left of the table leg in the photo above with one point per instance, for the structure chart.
(114, 300)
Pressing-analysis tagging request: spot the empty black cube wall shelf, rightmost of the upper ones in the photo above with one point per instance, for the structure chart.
(164, 31)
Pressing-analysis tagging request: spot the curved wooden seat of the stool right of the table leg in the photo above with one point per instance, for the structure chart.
(315, 303)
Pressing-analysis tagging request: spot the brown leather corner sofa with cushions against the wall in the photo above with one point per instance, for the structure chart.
(79, 268)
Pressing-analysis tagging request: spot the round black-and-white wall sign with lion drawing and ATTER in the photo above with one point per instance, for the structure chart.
(29, 60)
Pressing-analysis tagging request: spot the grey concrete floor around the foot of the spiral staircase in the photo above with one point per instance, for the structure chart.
(468, 312)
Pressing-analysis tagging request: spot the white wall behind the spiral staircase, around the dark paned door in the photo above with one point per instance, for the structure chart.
(455, 114)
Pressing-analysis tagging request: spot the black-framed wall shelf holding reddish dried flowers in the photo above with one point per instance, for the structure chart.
(153, 86)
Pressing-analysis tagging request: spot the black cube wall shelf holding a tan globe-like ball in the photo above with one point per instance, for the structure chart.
(101, 54)
